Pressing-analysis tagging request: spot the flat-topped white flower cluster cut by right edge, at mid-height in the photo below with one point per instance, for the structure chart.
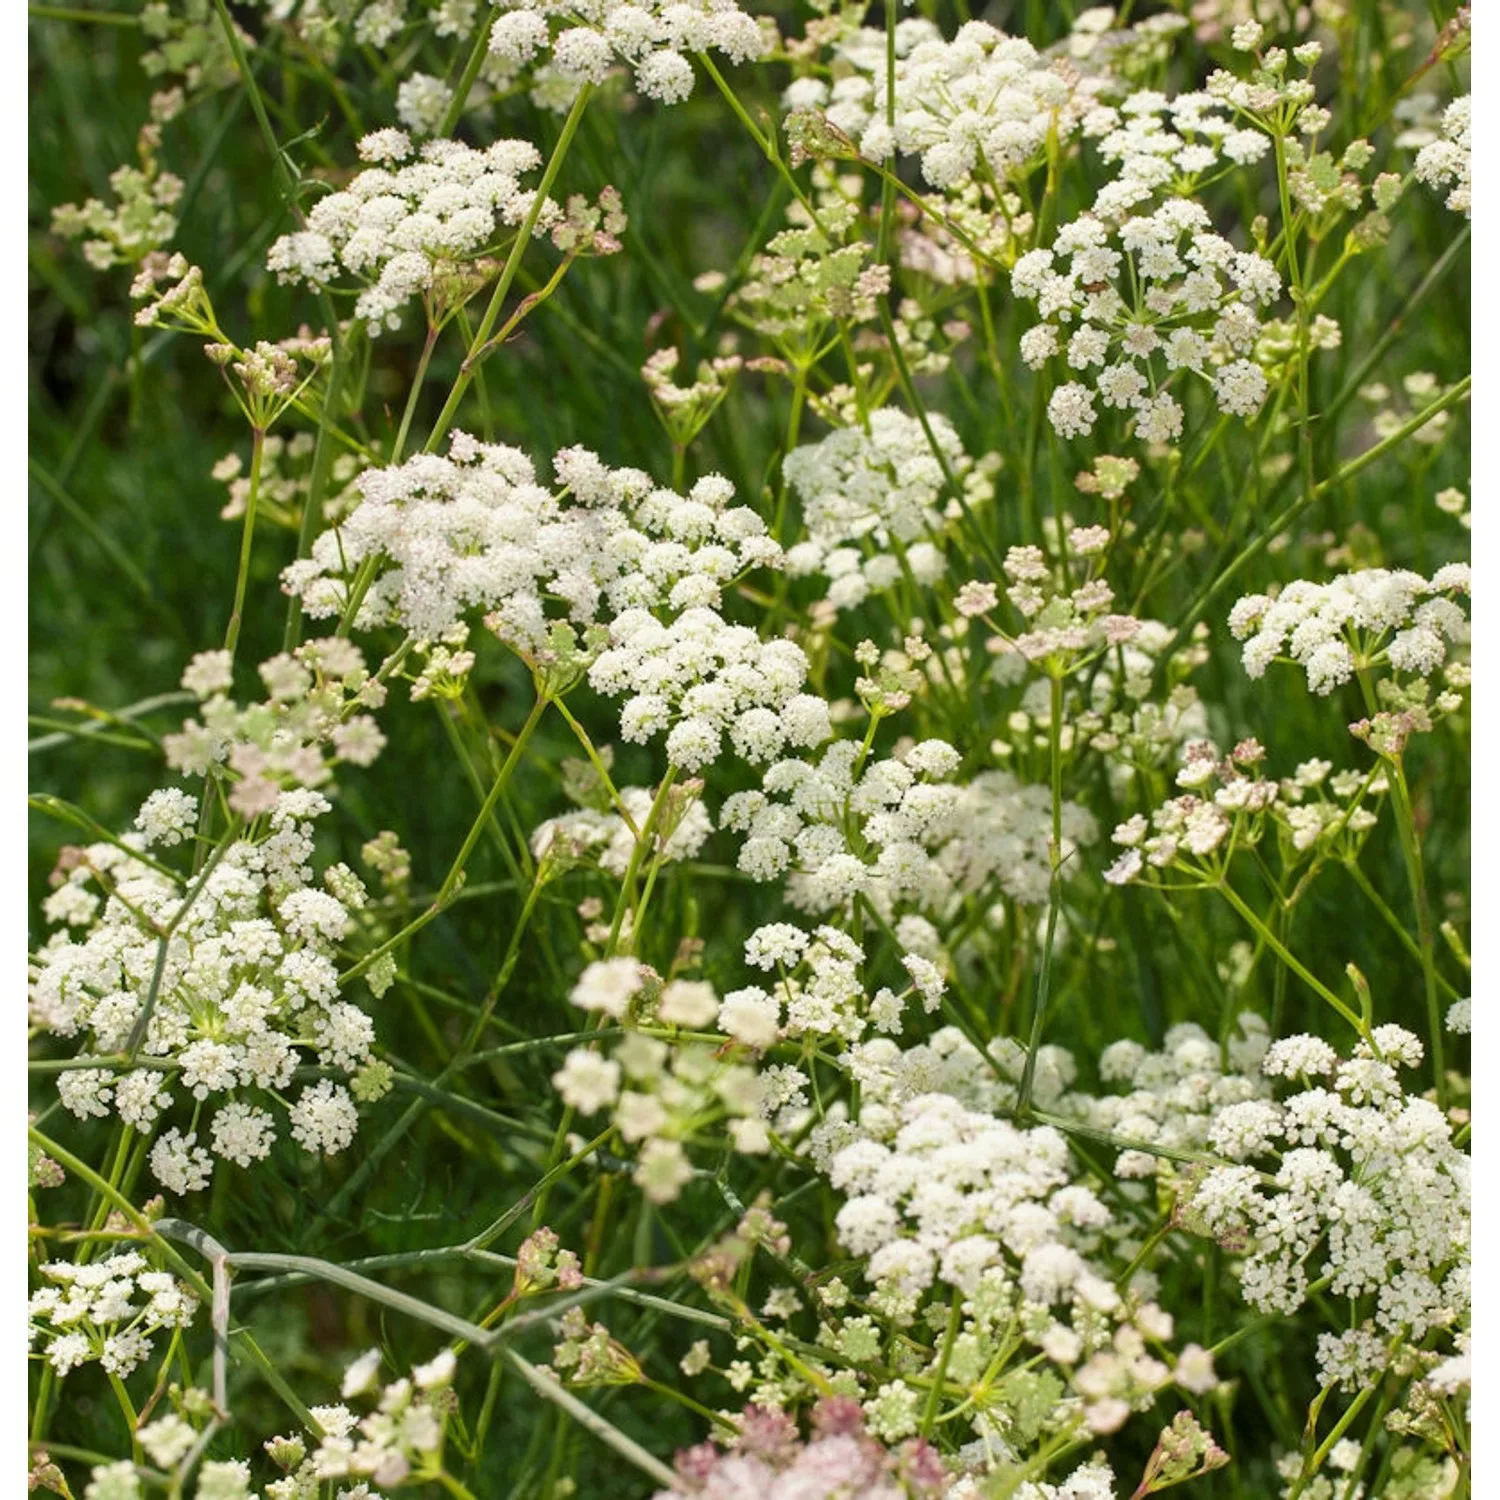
(1378, 617)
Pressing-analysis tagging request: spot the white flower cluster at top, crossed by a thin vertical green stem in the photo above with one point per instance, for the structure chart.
(982, 104)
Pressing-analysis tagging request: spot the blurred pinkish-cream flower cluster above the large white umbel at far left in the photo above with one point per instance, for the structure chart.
(308, 724)
